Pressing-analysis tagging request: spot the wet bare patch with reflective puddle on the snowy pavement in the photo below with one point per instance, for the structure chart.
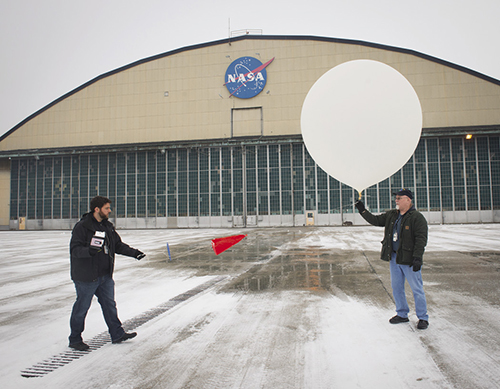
(263, 262)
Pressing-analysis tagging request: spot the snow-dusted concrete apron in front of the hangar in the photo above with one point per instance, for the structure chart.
(277, 338)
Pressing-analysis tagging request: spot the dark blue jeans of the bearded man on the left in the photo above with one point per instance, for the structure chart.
(104, 289)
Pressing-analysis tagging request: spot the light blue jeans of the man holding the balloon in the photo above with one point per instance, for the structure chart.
(400, 273)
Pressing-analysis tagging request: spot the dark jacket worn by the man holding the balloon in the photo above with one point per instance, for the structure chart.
(412, 240)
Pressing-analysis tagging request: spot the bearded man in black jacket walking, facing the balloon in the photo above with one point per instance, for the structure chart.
(93, 245)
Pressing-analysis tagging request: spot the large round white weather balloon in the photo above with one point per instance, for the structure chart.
(361, 122)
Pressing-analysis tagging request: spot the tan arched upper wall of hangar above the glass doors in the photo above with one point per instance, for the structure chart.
(171, 98)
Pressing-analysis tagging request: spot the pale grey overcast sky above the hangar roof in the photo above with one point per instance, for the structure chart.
(53, 46)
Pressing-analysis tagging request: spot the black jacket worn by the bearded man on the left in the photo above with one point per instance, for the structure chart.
(85, 267)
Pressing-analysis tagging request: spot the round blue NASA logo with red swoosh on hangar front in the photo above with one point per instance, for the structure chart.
(246, 77)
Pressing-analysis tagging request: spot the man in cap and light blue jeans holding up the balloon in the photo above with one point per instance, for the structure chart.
(405, 238)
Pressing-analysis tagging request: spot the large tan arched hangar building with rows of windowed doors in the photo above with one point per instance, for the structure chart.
(209, 136)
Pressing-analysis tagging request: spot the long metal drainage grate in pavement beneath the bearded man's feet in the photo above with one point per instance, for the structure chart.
(42, 368)
